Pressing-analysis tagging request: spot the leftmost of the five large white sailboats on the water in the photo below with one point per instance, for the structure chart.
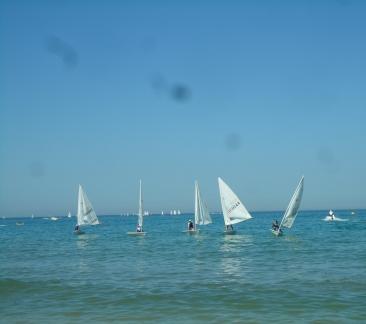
(86, 214)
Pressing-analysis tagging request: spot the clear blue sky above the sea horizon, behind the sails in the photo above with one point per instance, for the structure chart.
(104, 93)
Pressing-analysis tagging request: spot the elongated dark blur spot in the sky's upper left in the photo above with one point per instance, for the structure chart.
(64, 51)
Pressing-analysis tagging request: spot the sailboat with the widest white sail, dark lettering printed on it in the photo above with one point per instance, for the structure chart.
(233, 209)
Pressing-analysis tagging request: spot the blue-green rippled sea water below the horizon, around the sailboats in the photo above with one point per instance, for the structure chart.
(316, 273)
